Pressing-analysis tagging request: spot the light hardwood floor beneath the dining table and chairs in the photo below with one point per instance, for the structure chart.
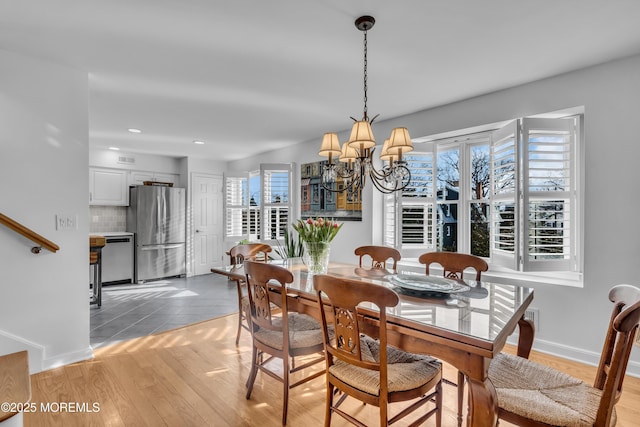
(194, 376)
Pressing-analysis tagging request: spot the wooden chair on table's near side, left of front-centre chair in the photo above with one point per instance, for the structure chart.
(279, 333)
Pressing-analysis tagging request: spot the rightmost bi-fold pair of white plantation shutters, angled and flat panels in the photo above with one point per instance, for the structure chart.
(534, 197)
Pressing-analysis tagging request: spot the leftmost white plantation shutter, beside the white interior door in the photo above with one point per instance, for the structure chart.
(236, 203)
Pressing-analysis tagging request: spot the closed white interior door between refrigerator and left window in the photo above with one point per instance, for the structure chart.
(207, 205)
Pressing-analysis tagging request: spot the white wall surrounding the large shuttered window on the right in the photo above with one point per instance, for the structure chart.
(572, 320)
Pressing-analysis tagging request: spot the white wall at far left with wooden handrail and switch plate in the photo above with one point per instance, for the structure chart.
(44, 299)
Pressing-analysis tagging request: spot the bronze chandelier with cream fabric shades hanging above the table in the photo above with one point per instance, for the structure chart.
(352, 163)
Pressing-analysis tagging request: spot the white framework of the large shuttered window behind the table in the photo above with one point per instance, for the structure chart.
(519, 196)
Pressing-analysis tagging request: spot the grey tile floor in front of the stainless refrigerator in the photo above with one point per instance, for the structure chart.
(135, 310)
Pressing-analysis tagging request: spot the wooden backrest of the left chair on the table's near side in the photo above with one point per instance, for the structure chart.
(260, 278)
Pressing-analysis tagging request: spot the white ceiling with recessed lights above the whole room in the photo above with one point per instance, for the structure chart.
(247, 76)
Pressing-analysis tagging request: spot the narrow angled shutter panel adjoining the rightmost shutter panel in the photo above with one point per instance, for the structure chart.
(504, 196)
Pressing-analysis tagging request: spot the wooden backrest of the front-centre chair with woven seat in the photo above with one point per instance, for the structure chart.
(343, 296)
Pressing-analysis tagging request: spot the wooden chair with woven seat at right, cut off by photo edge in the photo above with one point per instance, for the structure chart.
(531, 394)
